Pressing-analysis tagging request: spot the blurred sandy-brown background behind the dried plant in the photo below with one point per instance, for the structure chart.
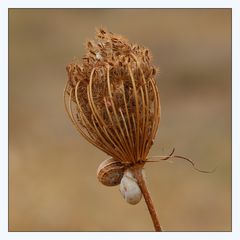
(53, 185)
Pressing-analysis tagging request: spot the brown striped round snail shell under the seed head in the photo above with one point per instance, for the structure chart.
(110, 172)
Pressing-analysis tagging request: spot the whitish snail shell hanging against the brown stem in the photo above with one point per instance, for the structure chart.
(129, 188)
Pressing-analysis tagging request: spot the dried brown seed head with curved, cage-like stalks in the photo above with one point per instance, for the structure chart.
(112, 98)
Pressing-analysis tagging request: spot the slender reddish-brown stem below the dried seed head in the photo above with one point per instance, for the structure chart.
(142, 184)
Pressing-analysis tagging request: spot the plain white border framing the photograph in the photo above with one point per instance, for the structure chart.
(4, 8)
